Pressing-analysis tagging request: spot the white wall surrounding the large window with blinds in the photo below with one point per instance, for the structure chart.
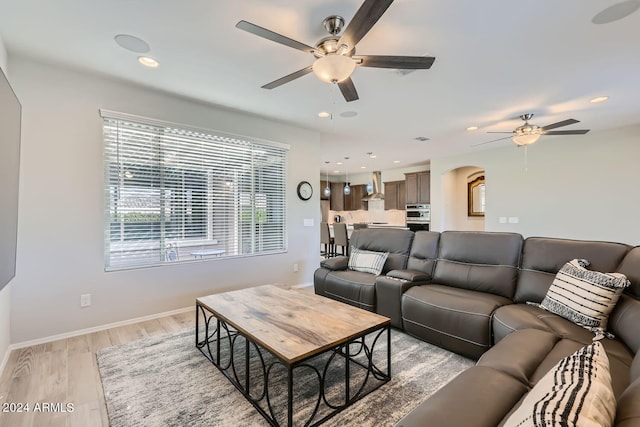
(60, 235)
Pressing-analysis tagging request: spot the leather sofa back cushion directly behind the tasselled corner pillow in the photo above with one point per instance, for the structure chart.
(543, 257)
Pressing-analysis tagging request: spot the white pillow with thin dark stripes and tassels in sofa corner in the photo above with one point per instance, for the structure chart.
(583, 296)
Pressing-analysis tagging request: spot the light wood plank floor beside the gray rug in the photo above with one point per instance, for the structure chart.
(66, 371)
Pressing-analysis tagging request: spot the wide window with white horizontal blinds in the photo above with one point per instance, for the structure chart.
(174, 194)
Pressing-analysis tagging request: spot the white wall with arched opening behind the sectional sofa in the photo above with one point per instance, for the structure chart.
(582, 187)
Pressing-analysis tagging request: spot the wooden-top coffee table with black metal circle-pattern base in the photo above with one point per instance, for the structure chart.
(251, 334)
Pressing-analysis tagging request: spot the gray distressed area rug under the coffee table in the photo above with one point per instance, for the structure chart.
(166, 381)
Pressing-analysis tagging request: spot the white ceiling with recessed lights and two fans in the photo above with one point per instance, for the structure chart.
(495, 59)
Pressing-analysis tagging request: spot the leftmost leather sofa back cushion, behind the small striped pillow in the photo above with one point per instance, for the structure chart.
(396, 242)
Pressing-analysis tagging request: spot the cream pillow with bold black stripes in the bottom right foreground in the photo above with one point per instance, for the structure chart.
(577, 391)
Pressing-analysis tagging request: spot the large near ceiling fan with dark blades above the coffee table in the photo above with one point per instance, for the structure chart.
(335, 56)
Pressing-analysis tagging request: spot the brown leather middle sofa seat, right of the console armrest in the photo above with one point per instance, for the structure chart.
(453, 318)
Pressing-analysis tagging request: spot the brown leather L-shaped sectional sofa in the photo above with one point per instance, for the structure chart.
(468, 292)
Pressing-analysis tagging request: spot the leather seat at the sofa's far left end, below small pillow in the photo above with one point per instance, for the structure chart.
(351, 287)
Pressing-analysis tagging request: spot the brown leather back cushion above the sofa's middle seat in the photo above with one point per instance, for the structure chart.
(479, 261)
